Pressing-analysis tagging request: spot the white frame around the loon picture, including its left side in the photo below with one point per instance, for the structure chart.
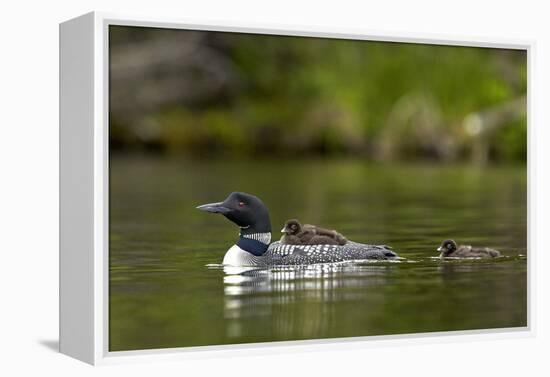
(84, 172)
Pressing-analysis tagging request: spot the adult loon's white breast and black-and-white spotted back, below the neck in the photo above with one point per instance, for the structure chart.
(279, 254)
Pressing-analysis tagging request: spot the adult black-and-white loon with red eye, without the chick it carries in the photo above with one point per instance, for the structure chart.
(254, 249)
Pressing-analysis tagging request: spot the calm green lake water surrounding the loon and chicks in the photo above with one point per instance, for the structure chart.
(167, 288)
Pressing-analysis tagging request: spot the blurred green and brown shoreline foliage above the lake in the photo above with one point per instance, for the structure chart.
(232, 94)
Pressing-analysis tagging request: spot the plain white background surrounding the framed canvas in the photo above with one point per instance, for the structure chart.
(29, 184)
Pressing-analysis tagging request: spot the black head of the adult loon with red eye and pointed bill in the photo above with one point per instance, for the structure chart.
(245, 210)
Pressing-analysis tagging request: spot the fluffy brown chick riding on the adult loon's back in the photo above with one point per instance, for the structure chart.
(295, 233)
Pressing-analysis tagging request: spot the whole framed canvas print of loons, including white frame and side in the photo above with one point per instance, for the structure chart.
(225, 187)
